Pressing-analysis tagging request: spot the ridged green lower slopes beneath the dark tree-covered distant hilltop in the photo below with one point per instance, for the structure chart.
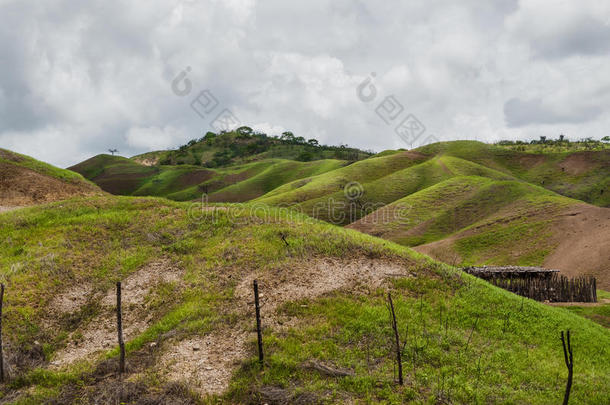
(237, 183)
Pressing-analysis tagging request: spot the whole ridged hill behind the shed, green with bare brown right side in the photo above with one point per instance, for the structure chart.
(473, 220)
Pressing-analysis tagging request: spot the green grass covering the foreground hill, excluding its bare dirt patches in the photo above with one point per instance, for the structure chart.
(512, 356)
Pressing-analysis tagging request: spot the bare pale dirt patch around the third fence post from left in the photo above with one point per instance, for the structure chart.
(207, 363)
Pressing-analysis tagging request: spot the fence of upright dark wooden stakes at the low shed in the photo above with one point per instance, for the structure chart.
(554, 289)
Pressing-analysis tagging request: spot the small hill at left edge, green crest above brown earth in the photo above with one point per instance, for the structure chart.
(26, 181)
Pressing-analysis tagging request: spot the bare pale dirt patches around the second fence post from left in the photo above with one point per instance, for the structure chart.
(100, 333)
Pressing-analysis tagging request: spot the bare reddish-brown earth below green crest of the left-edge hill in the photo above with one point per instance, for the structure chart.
(21, 186)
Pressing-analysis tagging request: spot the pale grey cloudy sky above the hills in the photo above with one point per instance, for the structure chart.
(79, 77)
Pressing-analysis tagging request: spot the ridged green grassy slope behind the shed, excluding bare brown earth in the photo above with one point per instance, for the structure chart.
(500, 221)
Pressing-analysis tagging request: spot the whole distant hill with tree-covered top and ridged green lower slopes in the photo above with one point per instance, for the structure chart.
(234, 166)
